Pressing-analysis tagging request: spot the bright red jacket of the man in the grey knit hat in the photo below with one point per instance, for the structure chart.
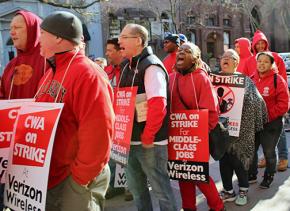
(84, 133)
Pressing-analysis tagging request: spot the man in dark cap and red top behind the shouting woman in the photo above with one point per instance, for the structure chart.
(171, 43)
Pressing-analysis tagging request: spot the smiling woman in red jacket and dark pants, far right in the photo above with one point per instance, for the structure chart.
(274, 90)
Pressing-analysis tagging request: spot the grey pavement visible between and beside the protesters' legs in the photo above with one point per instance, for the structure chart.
(275, 198)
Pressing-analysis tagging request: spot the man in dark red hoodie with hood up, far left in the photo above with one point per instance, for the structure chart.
(22, 74)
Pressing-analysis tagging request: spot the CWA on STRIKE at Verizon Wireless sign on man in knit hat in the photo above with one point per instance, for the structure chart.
(30, 154)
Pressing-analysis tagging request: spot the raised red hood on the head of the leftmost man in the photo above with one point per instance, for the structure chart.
(33, 30)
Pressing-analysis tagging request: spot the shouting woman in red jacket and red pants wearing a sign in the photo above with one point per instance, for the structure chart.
(190, 78)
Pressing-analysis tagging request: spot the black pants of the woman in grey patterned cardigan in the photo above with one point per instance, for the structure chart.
(228, 165)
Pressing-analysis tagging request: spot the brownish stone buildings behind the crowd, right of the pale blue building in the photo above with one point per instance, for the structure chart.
(212, 24)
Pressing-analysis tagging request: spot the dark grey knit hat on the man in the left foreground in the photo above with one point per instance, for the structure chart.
(65, 25)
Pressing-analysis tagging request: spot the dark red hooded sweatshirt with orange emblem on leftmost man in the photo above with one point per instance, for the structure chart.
(27, 68)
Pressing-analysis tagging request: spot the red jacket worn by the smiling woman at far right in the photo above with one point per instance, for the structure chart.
(276, 99)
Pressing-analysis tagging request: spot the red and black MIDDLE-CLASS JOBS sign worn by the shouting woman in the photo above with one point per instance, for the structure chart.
(188, 148)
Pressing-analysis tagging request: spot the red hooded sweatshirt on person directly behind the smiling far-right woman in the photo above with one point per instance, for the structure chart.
(251, 64)
